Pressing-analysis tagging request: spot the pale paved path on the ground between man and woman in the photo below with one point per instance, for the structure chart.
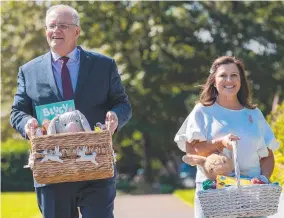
(151, 206)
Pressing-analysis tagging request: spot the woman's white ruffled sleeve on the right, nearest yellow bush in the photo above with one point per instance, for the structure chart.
(268, 138)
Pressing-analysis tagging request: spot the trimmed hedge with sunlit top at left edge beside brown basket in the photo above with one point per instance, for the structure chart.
(14, 155)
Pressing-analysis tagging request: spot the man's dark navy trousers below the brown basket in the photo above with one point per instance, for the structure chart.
(94, 198)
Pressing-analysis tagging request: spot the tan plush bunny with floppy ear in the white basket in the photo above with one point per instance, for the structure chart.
(213, 165)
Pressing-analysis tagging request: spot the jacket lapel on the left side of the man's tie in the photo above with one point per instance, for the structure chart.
(48, 73)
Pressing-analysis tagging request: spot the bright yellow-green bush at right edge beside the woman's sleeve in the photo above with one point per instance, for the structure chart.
(276, 120)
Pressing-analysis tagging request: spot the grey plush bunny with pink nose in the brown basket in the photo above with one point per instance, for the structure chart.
(73, 121)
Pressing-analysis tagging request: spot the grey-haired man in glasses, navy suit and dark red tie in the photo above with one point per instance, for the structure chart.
(92, 80)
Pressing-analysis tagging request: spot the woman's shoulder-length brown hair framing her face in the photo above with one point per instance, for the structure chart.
(209, 93)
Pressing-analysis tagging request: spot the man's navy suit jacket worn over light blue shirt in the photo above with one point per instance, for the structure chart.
(99, 89)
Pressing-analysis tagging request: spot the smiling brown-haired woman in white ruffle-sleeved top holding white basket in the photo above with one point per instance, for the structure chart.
(224, 114)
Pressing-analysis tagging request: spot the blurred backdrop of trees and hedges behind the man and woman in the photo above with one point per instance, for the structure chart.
(164, 51)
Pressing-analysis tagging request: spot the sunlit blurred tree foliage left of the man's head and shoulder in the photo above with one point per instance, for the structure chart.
(23, 38)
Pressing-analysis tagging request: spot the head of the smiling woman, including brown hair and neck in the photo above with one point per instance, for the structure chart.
(227, 84)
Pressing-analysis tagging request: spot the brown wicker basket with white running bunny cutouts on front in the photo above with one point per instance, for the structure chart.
(70, 157)
